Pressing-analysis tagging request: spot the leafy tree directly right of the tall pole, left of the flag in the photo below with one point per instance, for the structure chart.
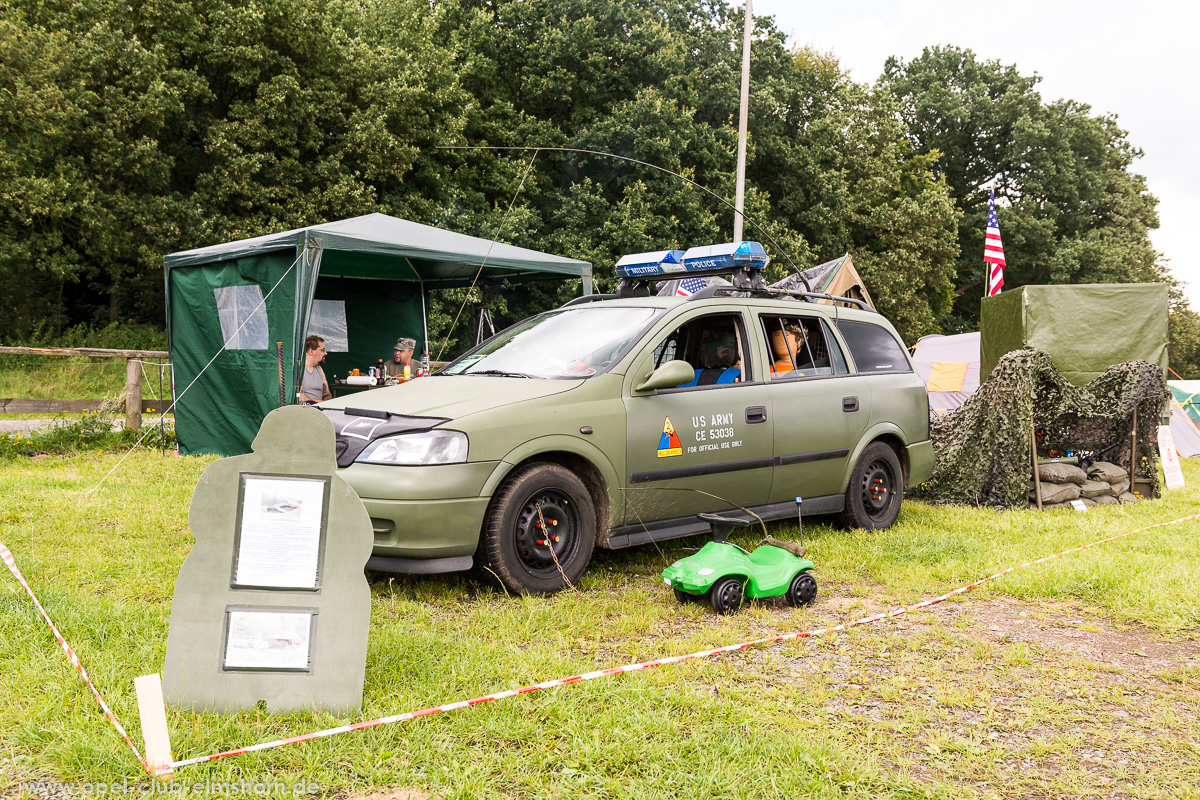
(836, 163)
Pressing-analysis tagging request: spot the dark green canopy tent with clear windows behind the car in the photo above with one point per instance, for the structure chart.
(362, 284)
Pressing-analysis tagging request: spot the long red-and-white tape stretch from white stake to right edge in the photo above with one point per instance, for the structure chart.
(647, 665)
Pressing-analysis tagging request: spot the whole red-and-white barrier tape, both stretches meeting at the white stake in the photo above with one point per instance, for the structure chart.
(561, 682)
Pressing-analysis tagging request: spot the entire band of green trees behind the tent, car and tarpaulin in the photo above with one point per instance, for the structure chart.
(131, 131)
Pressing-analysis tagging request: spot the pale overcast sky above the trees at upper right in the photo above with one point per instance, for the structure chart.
(1132, 61)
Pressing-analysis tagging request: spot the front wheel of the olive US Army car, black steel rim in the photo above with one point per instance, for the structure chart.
(514, 554)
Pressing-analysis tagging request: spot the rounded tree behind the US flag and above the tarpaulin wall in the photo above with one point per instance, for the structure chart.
(1071, 210)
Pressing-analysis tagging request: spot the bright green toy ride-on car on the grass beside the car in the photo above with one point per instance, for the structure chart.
(727, 574)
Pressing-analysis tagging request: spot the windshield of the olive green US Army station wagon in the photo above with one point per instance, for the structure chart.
(568, 344)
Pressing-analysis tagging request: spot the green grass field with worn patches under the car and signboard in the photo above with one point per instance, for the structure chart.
(1076, 678)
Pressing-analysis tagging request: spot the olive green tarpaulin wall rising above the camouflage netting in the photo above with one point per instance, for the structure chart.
(1085, 329)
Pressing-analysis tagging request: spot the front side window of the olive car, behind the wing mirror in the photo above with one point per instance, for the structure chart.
(713, 346)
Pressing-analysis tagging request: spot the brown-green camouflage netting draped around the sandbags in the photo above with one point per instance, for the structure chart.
(982, 448)
